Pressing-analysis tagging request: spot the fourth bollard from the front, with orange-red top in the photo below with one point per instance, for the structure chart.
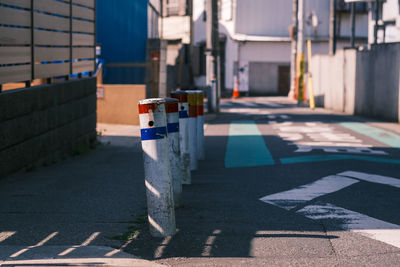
(192, 100)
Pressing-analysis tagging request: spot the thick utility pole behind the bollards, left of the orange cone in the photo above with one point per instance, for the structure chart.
(211, 54)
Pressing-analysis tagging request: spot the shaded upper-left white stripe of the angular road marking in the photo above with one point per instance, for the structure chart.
(291, 198)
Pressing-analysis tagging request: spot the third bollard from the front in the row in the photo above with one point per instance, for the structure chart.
(184, 134)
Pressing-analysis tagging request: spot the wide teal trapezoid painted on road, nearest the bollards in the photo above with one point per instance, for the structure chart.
(246, 146)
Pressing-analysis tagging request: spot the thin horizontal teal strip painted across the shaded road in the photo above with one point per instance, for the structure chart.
(319, 158)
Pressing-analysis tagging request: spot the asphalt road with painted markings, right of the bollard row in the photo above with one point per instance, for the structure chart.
(283, 186)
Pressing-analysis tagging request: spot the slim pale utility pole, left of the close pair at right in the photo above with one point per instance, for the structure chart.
(293, 34)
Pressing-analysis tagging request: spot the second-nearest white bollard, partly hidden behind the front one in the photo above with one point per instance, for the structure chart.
(171, 107)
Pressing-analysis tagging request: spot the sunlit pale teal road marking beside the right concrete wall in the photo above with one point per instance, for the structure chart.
(385, 137)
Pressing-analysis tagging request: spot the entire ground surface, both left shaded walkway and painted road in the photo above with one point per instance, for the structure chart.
(280, 186)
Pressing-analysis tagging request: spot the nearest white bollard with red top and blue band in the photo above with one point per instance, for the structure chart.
(160, 203)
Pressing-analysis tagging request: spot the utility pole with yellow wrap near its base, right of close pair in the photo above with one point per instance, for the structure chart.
(300, 54)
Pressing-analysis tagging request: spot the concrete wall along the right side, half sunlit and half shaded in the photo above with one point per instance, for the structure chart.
(360, 82)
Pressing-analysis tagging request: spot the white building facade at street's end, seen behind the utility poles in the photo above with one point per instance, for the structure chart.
(255, 42)
